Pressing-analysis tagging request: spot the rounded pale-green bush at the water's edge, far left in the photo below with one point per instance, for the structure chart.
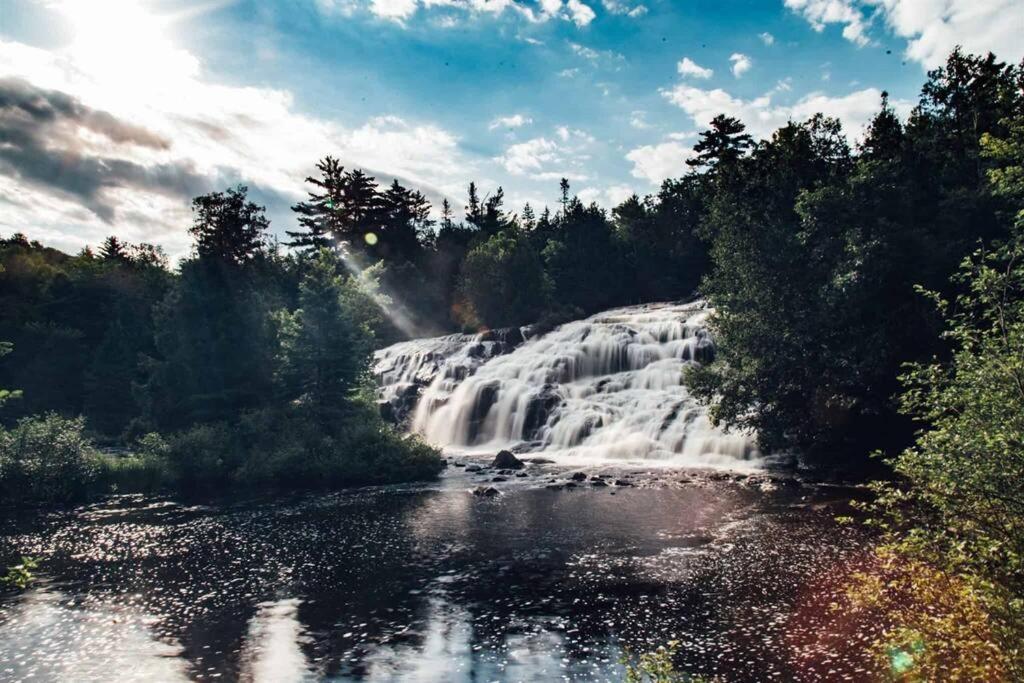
(48, 459)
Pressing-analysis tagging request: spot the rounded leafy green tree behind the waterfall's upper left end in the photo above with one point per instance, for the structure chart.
(503, 279)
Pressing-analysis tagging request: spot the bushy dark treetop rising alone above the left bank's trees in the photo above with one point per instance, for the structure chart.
(229, 228)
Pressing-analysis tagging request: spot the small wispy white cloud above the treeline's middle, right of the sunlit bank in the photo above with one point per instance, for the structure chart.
(563, 155)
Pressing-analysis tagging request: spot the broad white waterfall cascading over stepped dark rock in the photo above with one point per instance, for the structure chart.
(608, 388)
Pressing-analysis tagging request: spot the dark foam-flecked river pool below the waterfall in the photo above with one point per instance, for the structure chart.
(433, 584)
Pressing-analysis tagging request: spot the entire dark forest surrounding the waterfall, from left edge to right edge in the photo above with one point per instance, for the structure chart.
(869, 315)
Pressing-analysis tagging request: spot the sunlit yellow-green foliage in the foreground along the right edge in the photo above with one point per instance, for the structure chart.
(952, 565)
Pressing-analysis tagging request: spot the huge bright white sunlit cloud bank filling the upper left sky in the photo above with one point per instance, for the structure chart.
(216, 135)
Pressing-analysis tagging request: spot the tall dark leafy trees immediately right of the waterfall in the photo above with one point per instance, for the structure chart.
(816, 253)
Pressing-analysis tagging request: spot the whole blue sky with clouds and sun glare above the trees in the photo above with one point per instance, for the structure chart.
(114, 114)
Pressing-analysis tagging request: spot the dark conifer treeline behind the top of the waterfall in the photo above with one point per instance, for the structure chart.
(499, 269)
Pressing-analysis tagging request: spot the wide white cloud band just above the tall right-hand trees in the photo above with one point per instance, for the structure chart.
(762, 117)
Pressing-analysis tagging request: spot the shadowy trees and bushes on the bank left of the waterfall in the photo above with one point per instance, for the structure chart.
(242, 367)
